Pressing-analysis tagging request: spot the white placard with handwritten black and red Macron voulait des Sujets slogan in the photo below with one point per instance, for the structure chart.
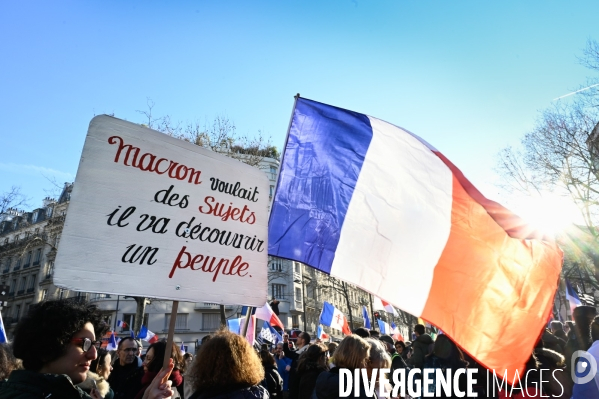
(154, 216)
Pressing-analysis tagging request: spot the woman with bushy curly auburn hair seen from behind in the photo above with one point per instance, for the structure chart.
(227, 367)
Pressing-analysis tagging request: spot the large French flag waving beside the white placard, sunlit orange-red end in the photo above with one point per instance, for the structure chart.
(373, 204)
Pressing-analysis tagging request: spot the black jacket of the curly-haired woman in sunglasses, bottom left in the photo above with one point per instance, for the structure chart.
(24, 384)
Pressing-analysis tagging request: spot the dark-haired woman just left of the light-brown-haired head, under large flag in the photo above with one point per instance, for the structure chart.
(309, 366)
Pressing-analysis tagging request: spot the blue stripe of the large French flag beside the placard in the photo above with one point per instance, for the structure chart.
(323, 157)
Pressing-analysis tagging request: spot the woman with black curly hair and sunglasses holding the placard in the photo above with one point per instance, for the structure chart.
(56, 341)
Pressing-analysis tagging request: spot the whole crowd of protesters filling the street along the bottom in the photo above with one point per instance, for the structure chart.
(56, 353)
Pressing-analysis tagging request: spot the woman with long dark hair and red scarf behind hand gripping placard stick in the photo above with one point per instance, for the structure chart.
(153, 363)
